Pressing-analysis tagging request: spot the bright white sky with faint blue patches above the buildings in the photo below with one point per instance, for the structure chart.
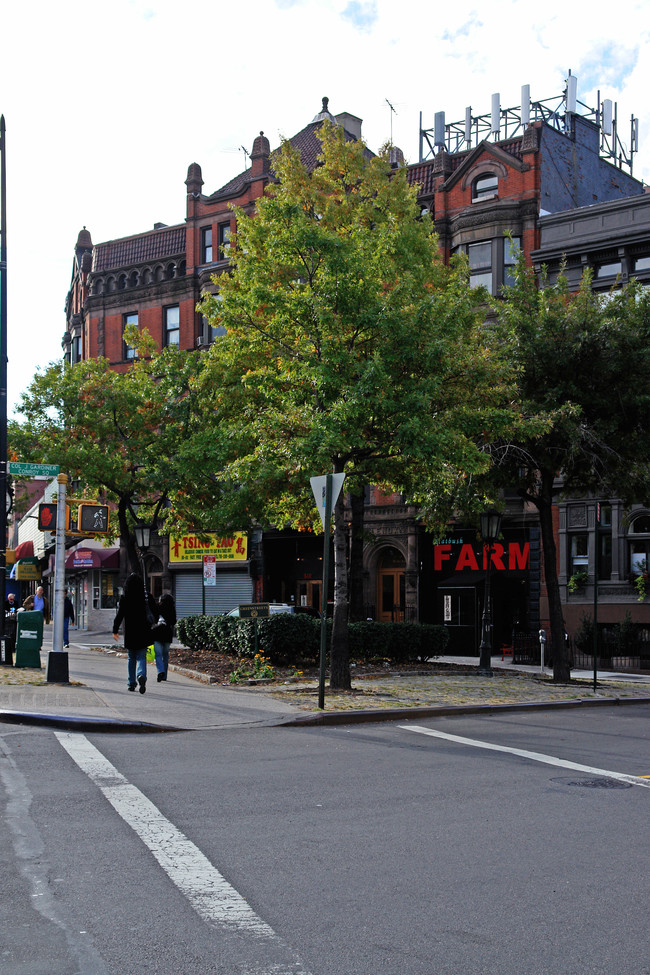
(107, 104)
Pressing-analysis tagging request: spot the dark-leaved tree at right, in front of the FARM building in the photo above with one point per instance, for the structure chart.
(584, 367)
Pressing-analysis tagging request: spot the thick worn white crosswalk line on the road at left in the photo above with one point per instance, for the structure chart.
(209, 893)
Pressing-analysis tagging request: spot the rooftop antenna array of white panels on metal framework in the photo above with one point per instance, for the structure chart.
(502, 124)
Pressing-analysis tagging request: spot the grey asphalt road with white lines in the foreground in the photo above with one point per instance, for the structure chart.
(351, 850)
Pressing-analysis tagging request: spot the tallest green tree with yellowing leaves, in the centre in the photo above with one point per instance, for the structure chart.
(350, 348)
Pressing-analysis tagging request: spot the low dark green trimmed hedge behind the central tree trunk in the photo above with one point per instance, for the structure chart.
(285, 638)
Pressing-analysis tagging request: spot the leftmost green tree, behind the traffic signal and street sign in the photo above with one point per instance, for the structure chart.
(116, 434)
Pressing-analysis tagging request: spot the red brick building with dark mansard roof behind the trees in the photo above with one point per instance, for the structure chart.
(480, 180)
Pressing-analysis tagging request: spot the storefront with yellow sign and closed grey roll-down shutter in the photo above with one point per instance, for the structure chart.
(212, 575)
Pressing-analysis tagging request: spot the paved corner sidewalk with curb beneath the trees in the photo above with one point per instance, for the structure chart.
(97, 699)
